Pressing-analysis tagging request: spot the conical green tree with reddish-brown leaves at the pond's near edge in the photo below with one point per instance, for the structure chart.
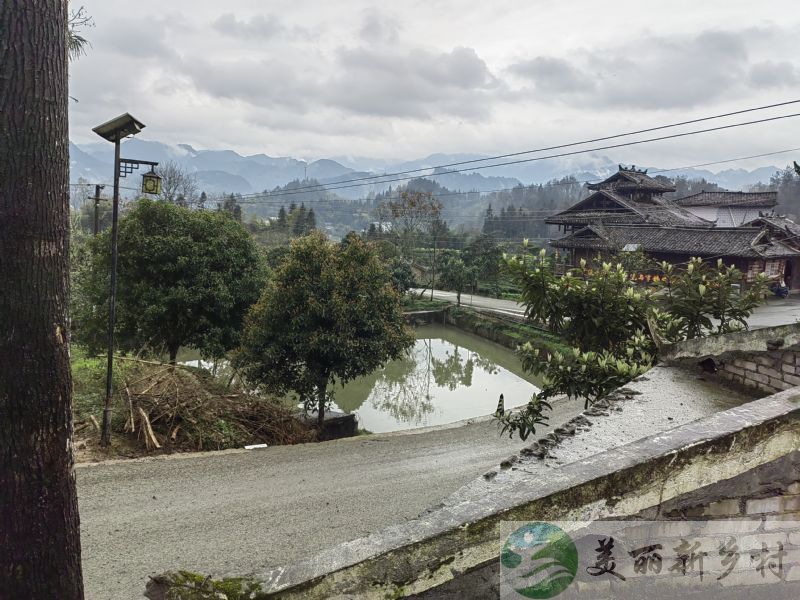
(329, 315)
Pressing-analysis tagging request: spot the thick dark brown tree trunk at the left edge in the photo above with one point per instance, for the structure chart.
(39, 529)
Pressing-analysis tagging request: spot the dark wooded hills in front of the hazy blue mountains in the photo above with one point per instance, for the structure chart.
(506, 215)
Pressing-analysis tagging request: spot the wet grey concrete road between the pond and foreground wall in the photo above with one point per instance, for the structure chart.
(236, 512)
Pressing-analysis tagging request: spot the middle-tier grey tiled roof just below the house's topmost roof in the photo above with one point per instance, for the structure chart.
(658, 211)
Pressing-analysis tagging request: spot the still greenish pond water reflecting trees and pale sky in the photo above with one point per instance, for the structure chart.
(449, 375)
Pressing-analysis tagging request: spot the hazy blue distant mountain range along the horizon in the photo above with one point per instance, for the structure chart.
(219, 171)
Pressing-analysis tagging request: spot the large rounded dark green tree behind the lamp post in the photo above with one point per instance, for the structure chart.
(186, 278)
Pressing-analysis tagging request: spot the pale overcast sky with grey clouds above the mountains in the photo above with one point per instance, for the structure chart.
(314, 79)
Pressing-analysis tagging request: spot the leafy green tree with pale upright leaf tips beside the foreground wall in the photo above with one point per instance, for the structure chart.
(615, 325)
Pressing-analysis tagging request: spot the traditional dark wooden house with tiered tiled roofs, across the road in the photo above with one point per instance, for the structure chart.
(628, 211)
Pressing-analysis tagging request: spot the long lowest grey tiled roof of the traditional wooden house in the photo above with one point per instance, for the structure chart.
(746, 242)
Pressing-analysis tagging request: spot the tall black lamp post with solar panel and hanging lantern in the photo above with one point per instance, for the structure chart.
(115, 131)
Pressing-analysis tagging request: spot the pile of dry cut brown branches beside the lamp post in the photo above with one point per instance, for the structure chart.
(175, 408)
